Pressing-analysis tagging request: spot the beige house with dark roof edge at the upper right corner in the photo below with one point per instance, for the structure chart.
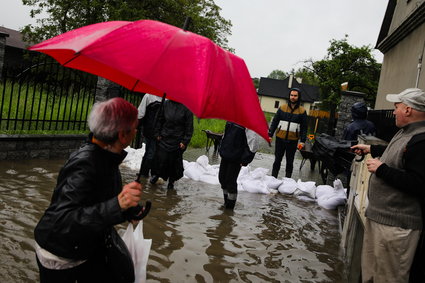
(402, 41)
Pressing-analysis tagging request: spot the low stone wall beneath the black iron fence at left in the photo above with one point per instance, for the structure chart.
(13, 147)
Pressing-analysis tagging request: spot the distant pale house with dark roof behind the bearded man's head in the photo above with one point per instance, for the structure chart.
(273, 93)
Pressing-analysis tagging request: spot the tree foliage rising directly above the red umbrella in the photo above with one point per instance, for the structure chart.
(65, 15)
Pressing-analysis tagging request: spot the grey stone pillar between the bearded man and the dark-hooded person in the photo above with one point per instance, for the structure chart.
(348, 98)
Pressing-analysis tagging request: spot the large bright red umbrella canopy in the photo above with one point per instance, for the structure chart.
(154, 57)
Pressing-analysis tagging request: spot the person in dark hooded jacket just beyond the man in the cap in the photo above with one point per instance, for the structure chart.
(359, 125)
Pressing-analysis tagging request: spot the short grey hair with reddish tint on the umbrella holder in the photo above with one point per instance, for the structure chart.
(109, 117)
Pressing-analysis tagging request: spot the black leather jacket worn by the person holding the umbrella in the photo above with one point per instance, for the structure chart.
(84, 204)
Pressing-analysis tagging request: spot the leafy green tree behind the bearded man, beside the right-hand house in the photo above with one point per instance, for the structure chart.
(346, 63)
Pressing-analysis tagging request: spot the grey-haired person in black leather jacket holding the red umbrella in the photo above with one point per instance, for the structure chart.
(89, 200)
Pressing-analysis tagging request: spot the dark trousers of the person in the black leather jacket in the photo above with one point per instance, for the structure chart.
(91, 271)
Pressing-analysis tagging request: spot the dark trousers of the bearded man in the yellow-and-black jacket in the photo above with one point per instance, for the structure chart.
(283, 147)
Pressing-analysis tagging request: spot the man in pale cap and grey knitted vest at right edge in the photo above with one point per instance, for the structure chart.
(396, 187)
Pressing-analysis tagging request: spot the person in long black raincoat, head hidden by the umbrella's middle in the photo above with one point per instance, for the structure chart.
(173, 131)
